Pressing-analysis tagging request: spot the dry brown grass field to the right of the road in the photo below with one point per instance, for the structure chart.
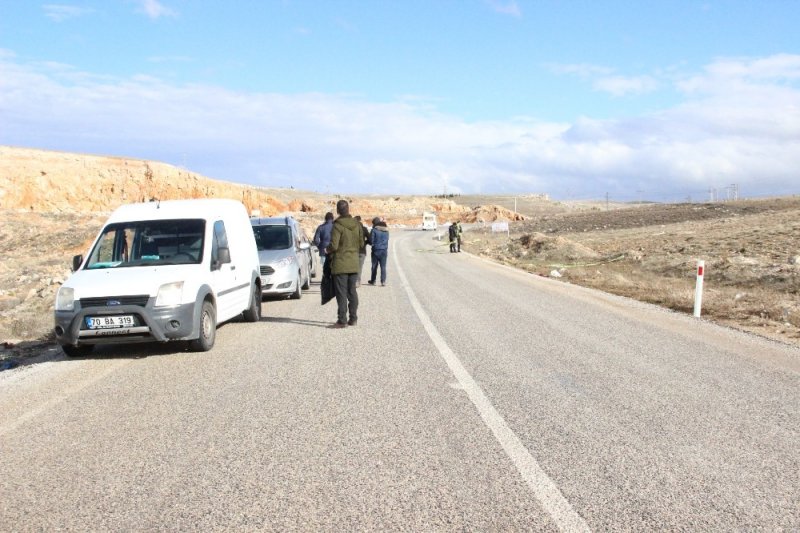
(650, 253)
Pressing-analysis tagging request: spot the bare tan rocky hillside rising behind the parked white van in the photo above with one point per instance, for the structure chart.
(59, 182)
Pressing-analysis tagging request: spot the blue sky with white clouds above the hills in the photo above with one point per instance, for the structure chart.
(659, 100)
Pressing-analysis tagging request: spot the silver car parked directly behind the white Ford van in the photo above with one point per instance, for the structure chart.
(286, 257)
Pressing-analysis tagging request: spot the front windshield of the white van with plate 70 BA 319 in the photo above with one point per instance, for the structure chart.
(153, 242)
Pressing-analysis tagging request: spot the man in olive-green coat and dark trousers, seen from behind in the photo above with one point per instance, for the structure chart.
(346, 237)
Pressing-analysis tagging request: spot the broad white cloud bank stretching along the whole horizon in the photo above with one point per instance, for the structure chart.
(739, 123)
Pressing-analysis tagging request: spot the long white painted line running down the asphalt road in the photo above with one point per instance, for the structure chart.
(544, 489)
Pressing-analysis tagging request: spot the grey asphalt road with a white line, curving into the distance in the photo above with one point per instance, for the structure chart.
(469, 397)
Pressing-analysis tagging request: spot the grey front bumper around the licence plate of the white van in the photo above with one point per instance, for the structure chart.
(151, 323)
